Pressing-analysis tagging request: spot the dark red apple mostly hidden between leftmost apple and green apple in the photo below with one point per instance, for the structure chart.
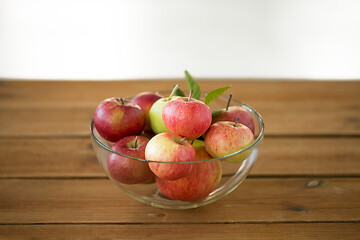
(145, 100)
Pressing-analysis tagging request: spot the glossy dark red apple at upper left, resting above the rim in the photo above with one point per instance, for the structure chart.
(115, 118)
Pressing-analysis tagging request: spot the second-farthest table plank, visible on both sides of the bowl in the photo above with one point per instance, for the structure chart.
(284, 118)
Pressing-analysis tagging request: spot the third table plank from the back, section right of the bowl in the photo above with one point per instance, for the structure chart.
(309, 156)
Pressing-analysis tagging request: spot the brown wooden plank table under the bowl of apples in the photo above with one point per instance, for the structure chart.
(305, 184)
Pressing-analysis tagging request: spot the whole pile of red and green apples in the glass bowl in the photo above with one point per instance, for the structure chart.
(174, 136)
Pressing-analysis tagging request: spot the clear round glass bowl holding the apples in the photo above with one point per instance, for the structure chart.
(233, 173)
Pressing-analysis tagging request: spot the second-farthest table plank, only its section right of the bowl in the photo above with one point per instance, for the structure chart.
(306, 118)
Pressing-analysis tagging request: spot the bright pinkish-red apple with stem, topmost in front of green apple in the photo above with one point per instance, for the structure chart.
(187, 117)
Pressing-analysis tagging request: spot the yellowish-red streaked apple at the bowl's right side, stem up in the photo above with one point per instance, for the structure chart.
(224, 138)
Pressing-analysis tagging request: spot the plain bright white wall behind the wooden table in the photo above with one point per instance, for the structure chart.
(129, 39)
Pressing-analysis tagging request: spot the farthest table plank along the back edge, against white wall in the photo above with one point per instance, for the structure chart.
(15, 92)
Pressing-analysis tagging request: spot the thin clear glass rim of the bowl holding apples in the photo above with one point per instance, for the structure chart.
(257, 140)
